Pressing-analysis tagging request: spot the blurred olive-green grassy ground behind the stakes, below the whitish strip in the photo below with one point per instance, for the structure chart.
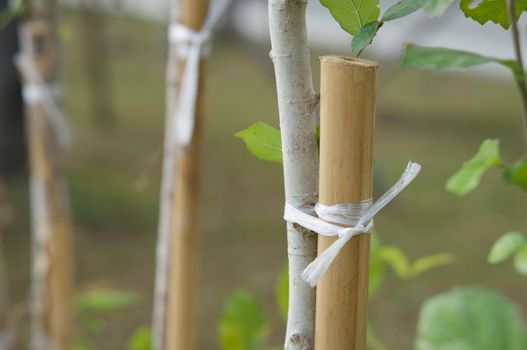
(435, 119)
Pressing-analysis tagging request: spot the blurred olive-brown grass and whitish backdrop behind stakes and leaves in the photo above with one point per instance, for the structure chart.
(113, 57)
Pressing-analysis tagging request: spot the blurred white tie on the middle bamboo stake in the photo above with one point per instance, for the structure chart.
(191, 45)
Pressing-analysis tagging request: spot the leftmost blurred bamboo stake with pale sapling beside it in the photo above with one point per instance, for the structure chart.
(52, 280)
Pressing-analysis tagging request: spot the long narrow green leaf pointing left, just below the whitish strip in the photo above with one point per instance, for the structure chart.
(443, 59)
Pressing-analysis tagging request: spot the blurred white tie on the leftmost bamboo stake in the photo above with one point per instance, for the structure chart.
(36, 91)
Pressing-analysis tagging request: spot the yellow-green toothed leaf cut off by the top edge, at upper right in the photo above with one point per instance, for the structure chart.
(491, 10)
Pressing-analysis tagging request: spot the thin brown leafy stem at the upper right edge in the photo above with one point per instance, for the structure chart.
(520, 75)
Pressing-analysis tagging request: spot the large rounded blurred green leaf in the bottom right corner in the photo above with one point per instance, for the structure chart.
(470, 319)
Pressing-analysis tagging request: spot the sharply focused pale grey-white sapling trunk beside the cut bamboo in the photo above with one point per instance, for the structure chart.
(297, 103)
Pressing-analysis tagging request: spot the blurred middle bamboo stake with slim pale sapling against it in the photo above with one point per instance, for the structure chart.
(175, 308)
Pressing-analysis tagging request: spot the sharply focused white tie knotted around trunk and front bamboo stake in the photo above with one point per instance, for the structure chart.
(357, 216)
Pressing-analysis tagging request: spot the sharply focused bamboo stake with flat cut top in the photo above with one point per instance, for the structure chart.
(347, 108)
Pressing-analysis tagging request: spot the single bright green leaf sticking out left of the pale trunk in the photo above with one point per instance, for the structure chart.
(263, 141)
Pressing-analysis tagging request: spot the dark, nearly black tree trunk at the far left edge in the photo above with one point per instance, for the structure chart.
(12, 144)
